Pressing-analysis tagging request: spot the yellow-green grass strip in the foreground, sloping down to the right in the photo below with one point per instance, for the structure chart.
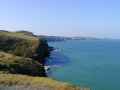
(22, 80)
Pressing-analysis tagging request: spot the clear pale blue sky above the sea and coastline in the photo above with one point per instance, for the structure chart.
(91, 18)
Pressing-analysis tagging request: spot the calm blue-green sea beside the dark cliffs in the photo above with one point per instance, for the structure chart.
(87, 63)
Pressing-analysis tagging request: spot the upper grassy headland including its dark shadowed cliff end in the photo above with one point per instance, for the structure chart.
(22, 44)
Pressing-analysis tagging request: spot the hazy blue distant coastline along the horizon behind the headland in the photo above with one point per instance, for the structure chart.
(51, 38)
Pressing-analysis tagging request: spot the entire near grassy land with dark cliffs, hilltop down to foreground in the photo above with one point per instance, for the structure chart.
(22, 58)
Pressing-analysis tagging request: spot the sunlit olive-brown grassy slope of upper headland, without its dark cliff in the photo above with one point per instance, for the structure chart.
(18, 43)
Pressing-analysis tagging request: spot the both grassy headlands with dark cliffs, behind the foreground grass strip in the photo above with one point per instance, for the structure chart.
(22, 53)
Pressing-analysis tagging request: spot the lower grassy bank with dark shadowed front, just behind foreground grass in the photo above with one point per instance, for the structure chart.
(10, 63)
